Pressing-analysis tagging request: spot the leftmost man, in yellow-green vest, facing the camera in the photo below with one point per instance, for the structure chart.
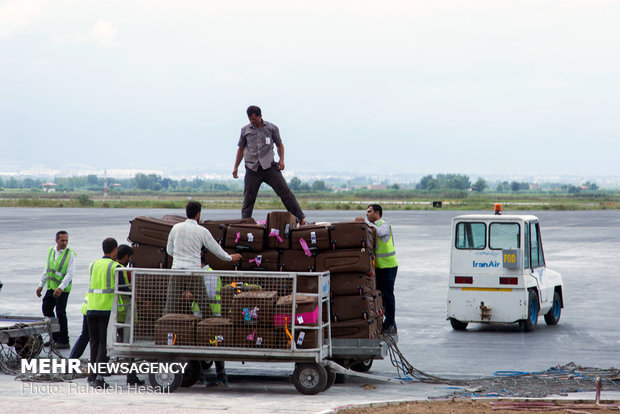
(58, 275)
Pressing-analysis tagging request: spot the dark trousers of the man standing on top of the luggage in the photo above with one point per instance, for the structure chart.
(273, 177)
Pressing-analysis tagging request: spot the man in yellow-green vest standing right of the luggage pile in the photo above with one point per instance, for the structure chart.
(386, 265)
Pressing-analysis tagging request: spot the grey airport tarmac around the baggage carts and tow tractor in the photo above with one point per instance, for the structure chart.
(582, 246)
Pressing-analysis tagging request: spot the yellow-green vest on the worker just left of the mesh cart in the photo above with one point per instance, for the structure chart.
(101, 289)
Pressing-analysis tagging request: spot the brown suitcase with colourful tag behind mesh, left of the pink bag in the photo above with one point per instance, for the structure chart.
(254, 308)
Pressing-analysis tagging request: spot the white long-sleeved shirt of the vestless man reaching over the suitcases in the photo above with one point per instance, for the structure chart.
(185, 243)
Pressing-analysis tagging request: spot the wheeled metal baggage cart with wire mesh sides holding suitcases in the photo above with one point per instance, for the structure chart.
(193, 315)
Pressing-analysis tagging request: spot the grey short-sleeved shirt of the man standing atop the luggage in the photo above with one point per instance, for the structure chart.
(258, 144)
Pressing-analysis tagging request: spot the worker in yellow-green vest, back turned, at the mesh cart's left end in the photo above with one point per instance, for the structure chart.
(99, 306)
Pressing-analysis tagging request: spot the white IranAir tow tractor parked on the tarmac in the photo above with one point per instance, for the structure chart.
(498, 273)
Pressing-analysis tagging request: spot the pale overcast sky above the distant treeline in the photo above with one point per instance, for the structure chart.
(420, 87)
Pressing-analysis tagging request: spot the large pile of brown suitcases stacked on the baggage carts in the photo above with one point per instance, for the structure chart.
(345, 249)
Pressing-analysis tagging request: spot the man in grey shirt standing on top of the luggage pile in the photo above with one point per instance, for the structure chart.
(256, 146)
